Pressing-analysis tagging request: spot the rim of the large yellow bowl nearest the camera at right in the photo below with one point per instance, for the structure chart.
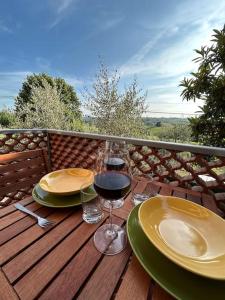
(176, 261)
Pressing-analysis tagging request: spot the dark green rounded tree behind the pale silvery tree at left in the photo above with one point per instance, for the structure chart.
(67, 94)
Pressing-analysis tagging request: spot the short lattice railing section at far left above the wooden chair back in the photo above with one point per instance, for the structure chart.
(18, 142)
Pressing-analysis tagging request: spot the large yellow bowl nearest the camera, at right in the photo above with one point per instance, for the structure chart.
(188, 234)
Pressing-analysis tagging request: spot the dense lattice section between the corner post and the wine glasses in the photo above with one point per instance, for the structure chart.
(73, 152)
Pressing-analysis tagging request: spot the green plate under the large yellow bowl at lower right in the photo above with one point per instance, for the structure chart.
(177, 281)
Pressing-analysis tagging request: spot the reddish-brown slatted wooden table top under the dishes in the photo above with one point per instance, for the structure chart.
(62, 263)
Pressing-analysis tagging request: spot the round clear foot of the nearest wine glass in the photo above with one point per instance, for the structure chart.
(110, 242)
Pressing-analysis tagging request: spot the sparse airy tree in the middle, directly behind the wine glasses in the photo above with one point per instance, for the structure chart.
(115, 112)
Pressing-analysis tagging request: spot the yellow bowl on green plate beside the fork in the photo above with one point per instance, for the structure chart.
(67, 181)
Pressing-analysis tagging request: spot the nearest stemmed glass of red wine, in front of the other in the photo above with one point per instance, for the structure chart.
(111, 185)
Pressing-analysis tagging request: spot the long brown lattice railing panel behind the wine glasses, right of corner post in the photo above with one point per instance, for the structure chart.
(178, 168)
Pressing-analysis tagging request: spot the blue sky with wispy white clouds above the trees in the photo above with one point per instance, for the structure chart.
(152, 40)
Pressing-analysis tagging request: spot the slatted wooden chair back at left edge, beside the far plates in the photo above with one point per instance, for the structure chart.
(19, 172)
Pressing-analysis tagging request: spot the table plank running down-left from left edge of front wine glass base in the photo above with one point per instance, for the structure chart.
(69, 281)
